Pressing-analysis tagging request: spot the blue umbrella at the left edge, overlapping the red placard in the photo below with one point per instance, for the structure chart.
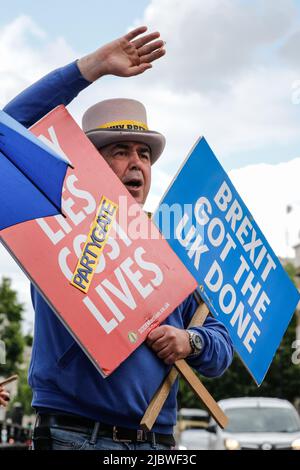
(32, 175)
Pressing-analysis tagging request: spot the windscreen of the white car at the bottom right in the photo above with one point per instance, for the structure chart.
(260, 419)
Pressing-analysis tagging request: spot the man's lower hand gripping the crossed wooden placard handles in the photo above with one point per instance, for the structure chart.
(169, 343)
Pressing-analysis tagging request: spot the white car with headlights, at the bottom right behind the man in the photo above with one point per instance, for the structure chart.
(256, 423)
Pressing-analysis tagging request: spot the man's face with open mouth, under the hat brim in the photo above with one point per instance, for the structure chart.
(131, 162)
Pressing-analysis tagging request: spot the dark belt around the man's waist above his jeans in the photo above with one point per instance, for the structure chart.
(88, 426)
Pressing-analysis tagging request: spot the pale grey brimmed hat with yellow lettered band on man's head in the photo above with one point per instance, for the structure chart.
(121, 120)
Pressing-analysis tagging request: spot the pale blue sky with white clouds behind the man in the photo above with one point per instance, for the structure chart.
(231, 73)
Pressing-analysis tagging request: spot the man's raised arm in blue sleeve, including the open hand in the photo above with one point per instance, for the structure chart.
(127, 56)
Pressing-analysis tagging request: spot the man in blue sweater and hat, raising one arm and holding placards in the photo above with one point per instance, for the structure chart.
(77, 408)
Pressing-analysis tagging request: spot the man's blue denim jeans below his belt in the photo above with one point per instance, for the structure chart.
(69, 440)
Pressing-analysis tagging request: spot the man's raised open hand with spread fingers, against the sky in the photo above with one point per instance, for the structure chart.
(123, 57)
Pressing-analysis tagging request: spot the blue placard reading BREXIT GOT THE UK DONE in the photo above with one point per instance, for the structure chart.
(240, 278)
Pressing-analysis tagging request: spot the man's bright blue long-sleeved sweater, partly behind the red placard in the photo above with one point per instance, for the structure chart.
(60, 374)
